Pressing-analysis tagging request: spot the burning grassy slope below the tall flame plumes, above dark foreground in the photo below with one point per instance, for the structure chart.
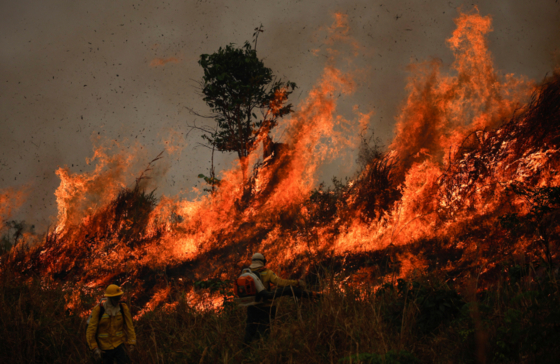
(455, 220)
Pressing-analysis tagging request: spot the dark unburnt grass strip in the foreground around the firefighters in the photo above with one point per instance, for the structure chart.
(427, 319)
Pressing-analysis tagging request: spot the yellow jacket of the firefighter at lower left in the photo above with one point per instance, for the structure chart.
(110, 331)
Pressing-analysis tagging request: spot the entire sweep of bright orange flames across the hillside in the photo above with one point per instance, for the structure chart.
(458, 144)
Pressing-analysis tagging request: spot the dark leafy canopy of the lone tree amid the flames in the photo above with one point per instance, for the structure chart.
(246, 98)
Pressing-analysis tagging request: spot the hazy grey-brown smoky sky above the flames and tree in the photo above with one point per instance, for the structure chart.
(71, 70)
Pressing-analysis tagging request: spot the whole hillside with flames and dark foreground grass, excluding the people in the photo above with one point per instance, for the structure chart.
(439, 249)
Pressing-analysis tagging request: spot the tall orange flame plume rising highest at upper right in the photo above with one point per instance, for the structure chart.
(441, 110)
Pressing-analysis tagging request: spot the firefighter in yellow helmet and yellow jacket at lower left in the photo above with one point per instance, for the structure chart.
(106, 334)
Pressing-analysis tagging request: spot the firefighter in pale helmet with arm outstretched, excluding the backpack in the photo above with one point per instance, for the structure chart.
(259, 316)
